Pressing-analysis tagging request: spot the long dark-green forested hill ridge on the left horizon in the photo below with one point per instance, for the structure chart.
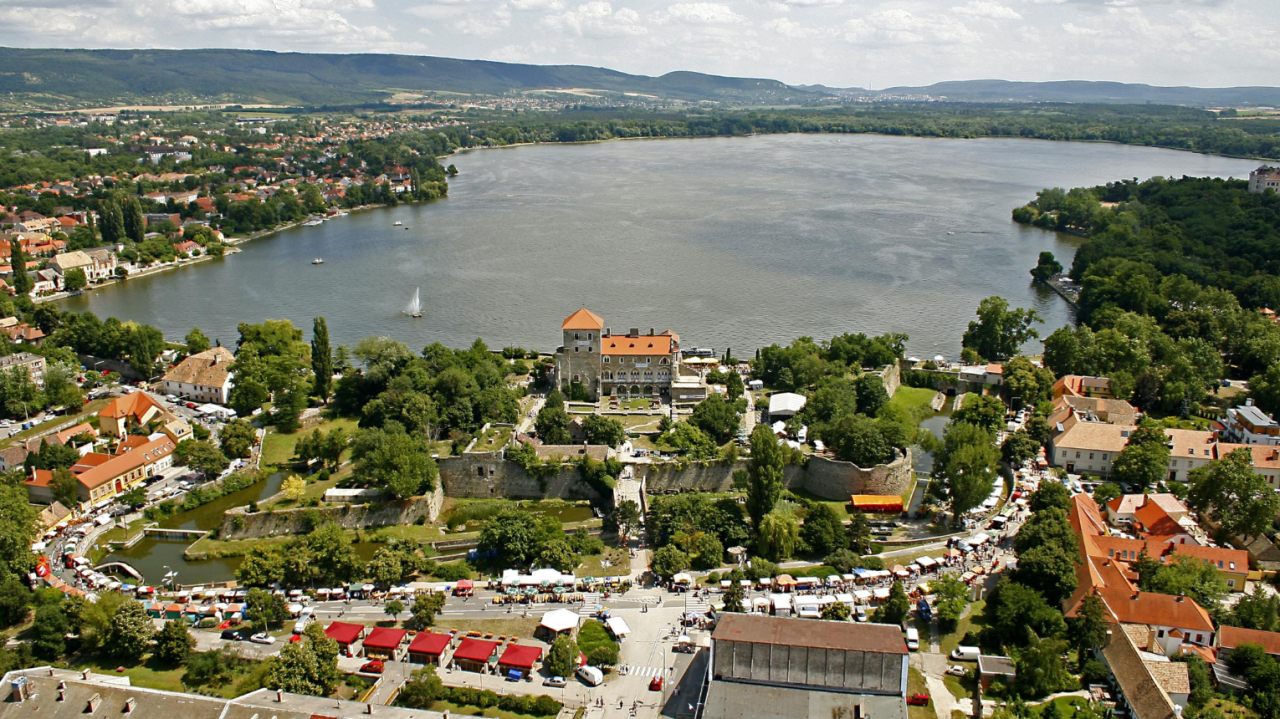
(255, 76)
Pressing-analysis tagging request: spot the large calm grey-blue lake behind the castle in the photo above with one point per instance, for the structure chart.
(735, 242)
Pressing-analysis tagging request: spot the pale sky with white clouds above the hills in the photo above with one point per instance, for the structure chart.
(836, 43)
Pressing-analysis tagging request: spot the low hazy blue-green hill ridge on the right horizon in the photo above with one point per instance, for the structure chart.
(1078, 91)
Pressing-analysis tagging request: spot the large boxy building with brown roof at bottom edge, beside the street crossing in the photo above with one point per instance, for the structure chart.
(781, 668)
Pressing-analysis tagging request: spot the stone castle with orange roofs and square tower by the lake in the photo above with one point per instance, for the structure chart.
(609, 365)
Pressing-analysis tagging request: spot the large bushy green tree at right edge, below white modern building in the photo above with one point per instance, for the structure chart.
(1238, 498)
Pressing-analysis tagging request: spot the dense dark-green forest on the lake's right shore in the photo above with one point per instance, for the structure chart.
(1173, 278)
